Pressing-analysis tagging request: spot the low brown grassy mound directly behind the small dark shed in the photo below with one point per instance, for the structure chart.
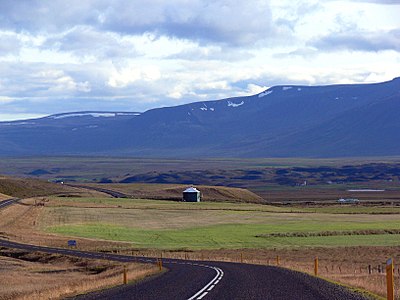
(174, 192)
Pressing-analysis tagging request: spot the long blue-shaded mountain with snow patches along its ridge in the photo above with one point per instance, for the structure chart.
(283, 121)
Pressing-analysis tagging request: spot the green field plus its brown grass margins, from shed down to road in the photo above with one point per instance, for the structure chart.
(347, 239)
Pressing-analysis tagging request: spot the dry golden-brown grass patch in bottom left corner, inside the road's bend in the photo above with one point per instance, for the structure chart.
(35, 275)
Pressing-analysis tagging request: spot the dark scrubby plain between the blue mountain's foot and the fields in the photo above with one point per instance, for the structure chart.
(274, 180)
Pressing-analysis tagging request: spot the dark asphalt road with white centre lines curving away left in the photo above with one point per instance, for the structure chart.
(192, 280)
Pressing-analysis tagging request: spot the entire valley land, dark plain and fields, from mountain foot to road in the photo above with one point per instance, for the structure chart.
(270, 218)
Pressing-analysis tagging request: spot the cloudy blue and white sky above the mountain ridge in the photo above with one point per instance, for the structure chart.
(133, 55)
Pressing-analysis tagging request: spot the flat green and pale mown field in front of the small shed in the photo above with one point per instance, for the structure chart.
(174, 225)
